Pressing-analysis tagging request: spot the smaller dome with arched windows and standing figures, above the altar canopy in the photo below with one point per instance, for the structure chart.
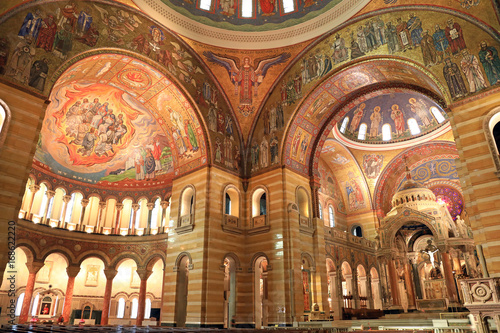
(390, 116)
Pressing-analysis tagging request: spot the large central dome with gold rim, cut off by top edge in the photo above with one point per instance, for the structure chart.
(251, 24)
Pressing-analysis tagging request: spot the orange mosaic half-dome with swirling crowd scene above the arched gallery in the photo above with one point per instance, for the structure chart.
(115, 121)
